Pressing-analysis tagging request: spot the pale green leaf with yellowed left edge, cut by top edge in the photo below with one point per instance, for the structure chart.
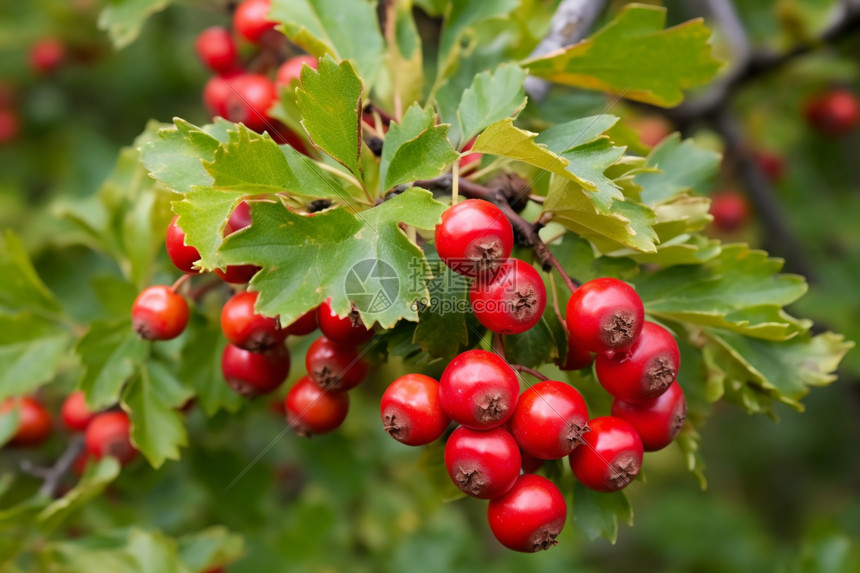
(344, 30)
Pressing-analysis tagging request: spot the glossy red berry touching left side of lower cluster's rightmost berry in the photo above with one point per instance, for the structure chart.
(550, 420)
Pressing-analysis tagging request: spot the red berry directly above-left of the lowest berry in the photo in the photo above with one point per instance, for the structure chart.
(483, 464)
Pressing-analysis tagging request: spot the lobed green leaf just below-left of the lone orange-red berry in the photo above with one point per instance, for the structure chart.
(110, 353)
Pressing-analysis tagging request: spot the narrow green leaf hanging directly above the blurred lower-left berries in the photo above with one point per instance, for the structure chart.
(157, 426)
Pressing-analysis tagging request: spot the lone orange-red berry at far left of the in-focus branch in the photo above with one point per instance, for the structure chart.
(158, 313)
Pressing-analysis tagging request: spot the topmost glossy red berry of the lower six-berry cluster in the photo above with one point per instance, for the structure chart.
(479, 390)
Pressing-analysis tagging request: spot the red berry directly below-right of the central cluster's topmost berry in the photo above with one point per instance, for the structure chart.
(509, 300)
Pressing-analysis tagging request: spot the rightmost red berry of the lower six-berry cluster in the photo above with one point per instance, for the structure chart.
(611, 457)
